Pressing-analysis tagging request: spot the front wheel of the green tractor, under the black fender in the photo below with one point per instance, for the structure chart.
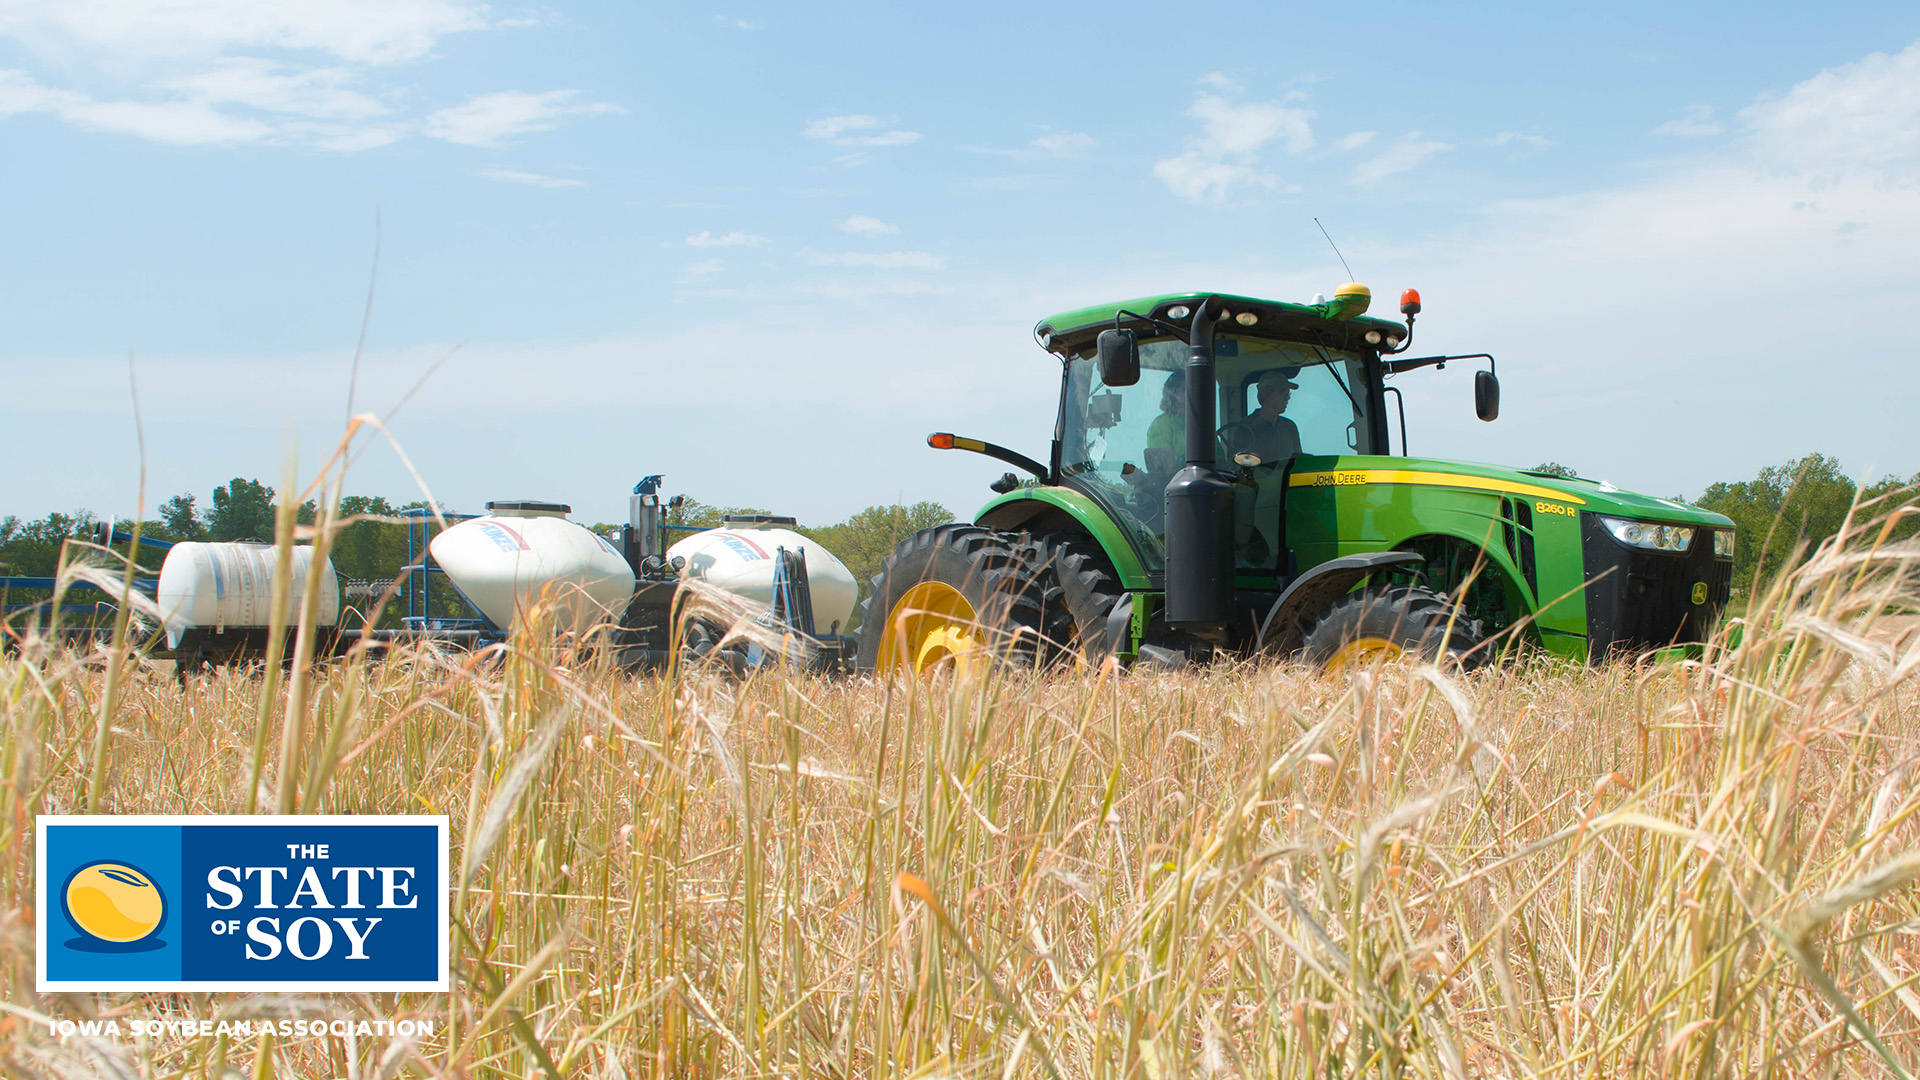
(1391, 622)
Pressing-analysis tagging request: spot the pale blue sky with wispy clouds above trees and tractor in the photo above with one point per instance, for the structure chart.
(765, 251)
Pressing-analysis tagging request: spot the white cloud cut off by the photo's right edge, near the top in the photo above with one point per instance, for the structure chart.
(1858, 114)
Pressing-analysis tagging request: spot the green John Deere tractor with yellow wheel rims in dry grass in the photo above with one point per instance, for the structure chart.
(1224, 481)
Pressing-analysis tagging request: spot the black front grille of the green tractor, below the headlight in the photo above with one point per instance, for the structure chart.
(1644, 601)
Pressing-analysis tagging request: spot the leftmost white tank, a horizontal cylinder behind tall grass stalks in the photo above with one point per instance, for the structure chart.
(229, 587)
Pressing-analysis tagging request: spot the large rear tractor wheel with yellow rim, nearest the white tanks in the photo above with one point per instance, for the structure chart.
(948, 597)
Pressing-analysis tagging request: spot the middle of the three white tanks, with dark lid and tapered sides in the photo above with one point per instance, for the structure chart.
(519, 552)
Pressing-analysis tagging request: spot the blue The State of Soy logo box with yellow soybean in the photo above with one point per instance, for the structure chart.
(204, 904)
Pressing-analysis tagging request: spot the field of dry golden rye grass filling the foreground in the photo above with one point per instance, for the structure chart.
(1535, 871)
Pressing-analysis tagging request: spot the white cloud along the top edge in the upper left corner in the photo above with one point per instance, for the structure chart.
(360, 32)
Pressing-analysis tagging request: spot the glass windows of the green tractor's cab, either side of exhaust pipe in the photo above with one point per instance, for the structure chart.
(1276, 401)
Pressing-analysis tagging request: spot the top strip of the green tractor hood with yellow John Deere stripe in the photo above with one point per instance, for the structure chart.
(1596, 497)
